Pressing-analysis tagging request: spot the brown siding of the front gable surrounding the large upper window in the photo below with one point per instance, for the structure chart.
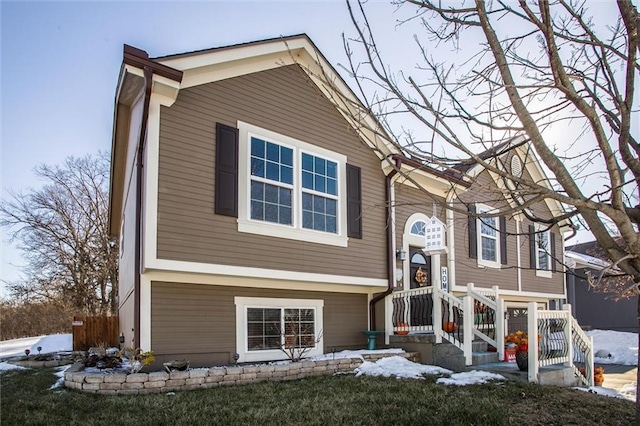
(284, 101)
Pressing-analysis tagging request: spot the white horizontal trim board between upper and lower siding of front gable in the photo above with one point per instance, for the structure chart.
(235, 276)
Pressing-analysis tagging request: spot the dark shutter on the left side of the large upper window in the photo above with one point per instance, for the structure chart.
(226, 197)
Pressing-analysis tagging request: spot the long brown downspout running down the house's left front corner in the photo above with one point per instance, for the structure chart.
(148, 82)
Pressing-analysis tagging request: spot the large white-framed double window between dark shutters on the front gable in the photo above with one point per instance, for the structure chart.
(290, 189)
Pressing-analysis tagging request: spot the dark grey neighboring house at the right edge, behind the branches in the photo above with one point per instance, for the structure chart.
(595, 308)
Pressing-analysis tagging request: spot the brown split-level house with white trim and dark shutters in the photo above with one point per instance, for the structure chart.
(254, 200)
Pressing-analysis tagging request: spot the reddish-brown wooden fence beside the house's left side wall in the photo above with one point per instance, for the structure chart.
(94, 331)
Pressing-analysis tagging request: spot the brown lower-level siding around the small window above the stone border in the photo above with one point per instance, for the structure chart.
(198, 322)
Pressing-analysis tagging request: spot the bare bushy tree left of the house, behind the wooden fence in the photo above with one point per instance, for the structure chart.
(61, 230)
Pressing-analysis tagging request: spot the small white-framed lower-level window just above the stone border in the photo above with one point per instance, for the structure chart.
(264, 325)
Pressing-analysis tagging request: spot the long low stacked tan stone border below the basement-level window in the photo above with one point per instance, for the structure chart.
(202, 378)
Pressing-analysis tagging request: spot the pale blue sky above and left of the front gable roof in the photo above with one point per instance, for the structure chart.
(60, 63)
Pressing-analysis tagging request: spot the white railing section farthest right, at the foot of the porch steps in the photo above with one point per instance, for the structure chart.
(556, 338)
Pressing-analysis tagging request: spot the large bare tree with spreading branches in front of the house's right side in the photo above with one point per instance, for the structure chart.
(550, 75)
